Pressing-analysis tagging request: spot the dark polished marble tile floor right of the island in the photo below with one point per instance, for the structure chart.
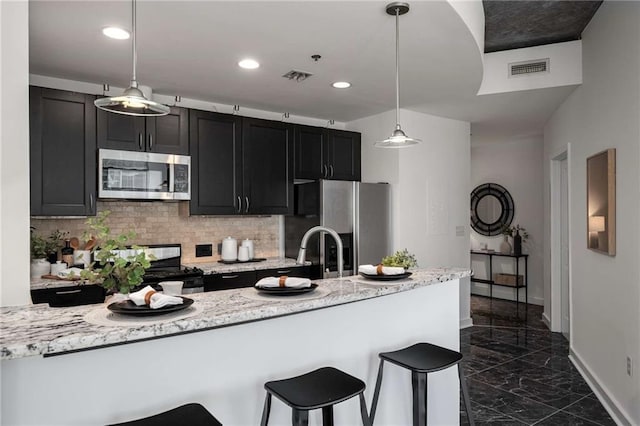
(520, 373)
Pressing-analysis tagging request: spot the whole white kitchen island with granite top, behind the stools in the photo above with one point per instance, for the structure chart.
(66, 366)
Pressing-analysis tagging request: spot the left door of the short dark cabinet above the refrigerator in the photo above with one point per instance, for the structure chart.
(310, 162)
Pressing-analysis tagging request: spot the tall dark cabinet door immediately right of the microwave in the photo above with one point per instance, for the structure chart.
(216, 163)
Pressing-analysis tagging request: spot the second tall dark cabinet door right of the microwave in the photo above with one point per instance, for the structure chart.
(267, 152)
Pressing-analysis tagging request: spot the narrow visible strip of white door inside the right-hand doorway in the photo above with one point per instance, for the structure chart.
(564, 248)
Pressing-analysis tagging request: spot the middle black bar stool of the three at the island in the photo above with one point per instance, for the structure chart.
(321, 388)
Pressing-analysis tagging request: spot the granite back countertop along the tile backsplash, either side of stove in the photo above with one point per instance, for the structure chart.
(207, 268)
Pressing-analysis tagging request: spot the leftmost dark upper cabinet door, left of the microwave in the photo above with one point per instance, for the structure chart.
(62, 153)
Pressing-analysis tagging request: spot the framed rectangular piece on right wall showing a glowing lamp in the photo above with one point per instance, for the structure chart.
(601, 202)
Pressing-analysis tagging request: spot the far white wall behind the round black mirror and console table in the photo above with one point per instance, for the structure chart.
(517, 166)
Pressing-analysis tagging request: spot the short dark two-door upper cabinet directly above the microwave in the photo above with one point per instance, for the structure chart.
(168, 134)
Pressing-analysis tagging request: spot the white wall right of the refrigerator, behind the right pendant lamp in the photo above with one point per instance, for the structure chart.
(429, 187)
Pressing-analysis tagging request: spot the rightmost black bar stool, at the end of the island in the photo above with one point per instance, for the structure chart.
(421, 359)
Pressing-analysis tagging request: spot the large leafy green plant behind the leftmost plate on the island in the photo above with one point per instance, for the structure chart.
(115, 273)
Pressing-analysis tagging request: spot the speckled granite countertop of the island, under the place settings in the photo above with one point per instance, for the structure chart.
(40, 330)
